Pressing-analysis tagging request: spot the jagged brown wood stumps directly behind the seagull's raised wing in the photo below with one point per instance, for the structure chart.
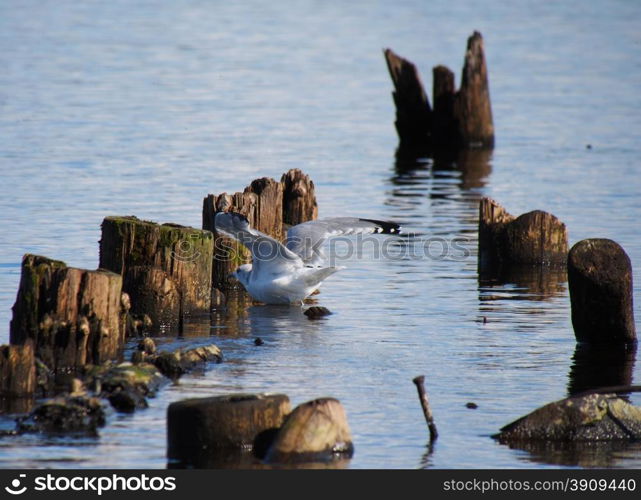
(268, 205)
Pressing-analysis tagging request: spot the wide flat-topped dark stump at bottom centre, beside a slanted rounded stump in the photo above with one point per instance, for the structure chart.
(202, 427)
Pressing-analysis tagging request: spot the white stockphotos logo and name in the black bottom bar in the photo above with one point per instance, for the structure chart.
(97, 484)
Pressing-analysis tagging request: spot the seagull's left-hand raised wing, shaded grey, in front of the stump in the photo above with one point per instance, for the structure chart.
(268, 254)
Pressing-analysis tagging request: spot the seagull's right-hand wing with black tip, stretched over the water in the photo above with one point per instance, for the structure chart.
(306, 239)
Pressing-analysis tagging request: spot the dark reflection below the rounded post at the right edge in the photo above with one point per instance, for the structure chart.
(595, 366)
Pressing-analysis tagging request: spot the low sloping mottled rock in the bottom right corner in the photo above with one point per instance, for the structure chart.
(593, 417)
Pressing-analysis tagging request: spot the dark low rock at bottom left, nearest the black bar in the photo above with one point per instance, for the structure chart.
(73, 414)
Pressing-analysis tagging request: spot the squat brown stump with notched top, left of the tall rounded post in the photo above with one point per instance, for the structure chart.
(533, 238)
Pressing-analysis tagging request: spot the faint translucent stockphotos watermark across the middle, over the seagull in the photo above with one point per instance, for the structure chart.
(345, 248)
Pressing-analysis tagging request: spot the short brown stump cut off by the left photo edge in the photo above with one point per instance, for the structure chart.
(17, 370)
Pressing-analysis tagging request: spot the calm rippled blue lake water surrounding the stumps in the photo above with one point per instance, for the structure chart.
(118, 108)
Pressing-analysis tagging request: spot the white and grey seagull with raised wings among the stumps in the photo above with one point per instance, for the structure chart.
(288, 273)
